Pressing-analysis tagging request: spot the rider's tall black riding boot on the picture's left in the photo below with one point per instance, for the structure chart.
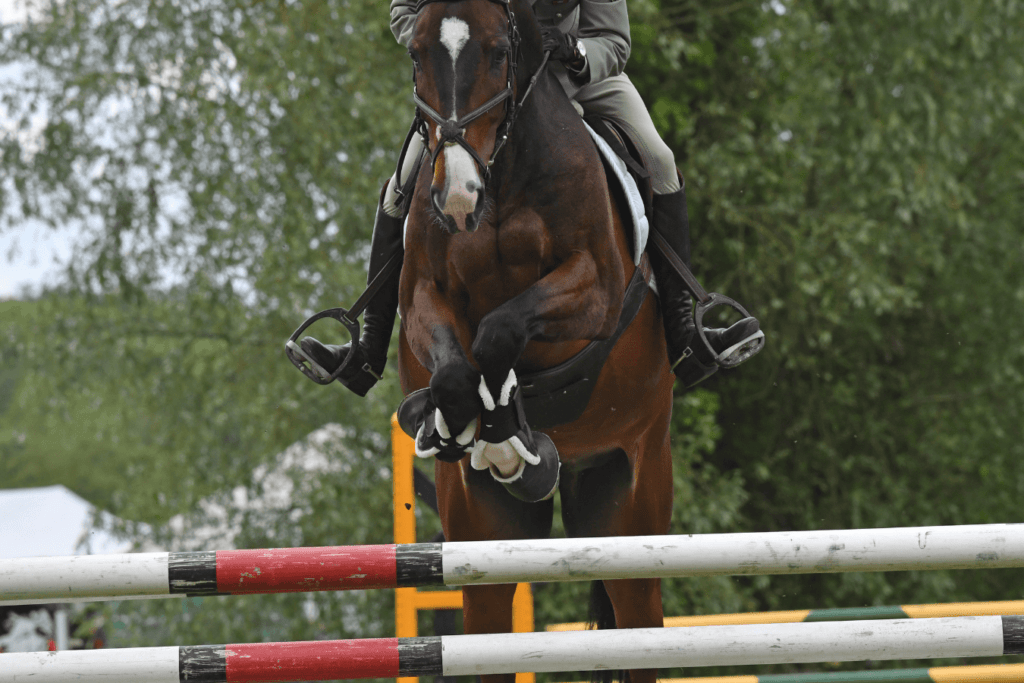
(378, 320)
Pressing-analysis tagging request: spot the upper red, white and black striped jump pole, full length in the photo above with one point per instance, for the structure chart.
(348, 568)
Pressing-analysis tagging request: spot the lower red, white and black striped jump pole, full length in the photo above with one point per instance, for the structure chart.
(505, 654)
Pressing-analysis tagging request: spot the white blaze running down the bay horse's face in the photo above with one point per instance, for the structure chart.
(462, 178)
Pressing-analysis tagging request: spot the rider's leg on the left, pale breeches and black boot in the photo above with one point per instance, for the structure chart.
(378, 320)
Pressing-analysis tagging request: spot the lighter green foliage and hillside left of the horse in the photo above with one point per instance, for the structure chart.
(224, 161)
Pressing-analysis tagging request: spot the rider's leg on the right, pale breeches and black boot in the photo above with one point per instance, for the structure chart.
(617, 99)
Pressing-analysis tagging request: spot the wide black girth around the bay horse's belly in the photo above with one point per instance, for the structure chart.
(561, 395)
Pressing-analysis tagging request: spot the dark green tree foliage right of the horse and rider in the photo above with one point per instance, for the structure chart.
(855, 178)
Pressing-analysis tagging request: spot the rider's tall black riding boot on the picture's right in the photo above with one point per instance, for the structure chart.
(692, 362)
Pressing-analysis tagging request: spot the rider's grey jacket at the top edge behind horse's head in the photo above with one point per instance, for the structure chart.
(603, 26)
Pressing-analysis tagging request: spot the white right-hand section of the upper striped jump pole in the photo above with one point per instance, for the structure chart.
(980, 546)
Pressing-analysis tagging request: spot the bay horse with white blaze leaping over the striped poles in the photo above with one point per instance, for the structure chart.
(517, 260)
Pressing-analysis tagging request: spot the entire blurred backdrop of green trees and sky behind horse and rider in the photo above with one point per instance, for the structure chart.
(184, 182)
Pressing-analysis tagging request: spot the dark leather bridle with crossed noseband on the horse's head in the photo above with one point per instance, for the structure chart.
(452, 132)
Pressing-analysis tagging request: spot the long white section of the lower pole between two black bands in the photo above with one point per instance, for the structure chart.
(723, 646)
